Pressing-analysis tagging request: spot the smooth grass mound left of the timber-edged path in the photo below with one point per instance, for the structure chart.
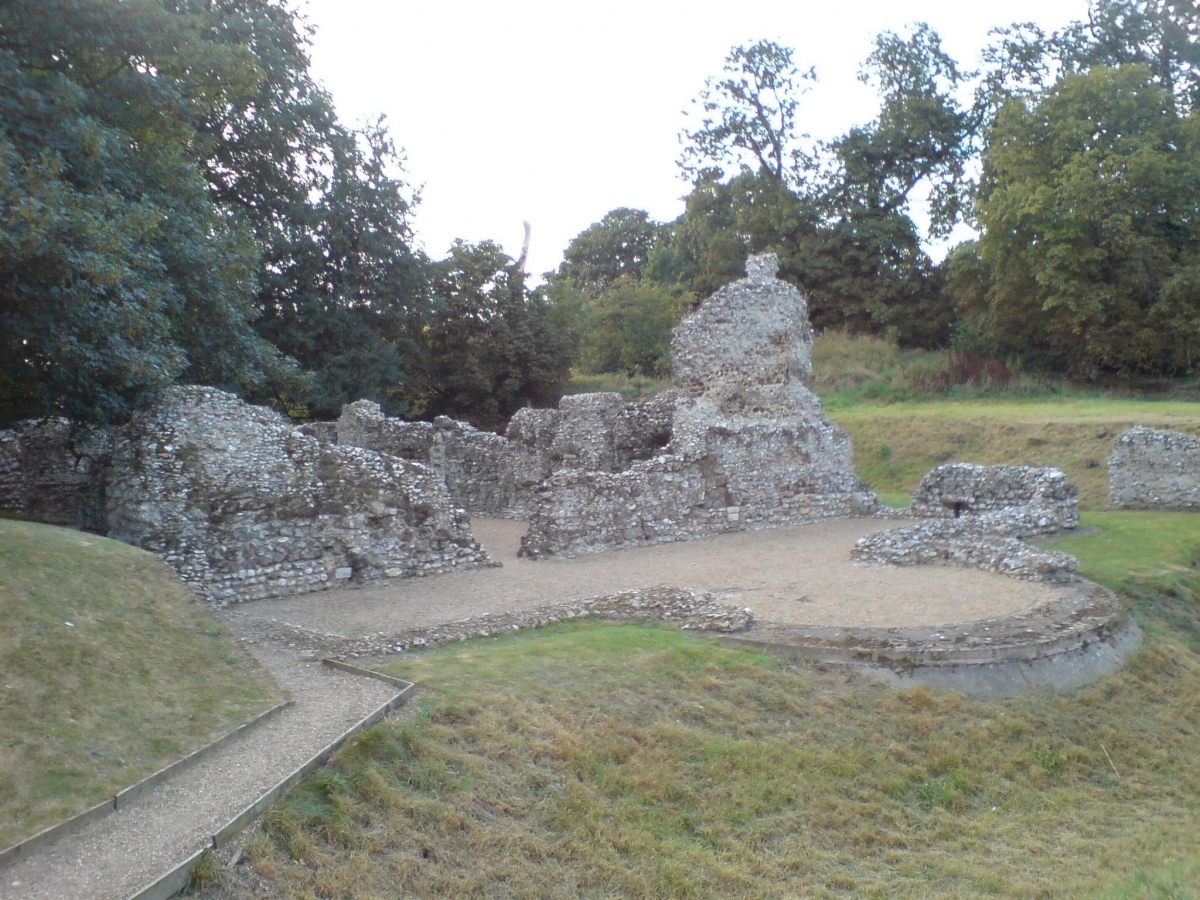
(110, 669)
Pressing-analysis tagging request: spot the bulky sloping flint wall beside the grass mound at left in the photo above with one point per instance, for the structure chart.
(247, 507)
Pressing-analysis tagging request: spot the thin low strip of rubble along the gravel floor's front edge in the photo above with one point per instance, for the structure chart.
(688, 609)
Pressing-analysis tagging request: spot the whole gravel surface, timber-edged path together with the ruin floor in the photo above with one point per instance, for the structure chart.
(795, 577)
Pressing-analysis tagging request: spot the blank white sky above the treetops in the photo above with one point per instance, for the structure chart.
(560, 111)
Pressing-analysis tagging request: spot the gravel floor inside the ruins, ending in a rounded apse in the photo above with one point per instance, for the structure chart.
(797, 577)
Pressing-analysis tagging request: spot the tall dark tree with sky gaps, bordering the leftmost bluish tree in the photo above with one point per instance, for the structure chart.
(340, 290)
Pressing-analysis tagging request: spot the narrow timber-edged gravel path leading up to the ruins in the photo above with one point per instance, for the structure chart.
(129, 849)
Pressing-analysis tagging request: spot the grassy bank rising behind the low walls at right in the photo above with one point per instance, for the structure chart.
(898, 443)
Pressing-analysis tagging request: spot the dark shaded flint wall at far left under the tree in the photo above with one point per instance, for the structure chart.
(55, 475)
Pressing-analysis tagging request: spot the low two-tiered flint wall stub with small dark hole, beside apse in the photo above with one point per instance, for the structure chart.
(979, 517)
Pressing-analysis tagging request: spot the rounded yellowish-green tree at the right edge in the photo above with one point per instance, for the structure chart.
(1089, 205)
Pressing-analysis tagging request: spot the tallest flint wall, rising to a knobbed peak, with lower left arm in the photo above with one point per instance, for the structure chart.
(749, 447)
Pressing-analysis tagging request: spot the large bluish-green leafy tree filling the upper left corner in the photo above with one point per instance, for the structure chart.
(118, 277)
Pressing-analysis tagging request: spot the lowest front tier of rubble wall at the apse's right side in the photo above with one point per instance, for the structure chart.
(965, 543)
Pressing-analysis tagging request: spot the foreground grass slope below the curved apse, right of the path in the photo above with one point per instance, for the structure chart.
(601, 761)
